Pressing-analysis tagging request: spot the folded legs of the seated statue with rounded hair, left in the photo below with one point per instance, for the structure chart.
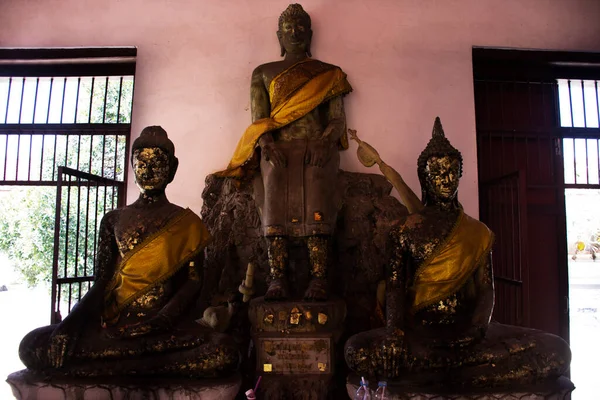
(190, 352)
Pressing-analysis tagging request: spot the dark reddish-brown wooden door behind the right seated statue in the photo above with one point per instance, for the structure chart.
(518, 148)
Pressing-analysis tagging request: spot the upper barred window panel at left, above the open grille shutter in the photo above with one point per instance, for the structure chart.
(82, 123)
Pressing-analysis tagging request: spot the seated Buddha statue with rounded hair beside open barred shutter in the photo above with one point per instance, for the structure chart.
(137, 318)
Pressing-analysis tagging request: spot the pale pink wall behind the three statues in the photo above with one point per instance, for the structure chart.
(408, 60)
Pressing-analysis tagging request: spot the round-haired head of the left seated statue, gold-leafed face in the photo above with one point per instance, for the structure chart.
(153, 160)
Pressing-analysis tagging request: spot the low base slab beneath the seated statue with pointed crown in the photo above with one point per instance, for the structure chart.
(557, 390)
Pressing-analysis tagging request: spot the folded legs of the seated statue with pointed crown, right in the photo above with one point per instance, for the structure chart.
(508, 355)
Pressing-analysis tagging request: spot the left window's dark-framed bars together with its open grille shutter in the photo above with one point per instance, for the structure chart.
(65, 120)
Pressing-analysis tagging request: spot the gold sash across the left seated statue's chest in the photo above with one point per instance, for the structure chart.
(155, 260)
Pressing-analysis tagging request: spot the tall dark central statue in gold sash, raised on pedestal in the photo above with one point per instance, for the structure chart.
(298, 126)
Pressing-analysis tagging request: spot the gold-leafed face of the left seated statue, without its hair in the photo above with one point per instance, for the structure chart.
(151, 168)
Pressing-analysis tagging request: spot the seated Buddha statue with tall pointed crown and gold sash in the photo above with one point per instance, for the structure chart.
(440, 297)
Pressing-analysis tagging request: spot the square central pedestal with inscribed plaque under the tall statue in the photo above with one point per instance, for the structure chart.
(295, 343)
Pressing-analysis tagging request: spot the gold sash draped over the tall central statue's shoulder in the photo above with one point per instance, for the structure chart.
(293, 93)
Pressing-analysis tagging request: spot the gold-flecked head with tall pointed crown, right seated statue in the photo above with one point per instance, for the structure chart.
(439, 168)
